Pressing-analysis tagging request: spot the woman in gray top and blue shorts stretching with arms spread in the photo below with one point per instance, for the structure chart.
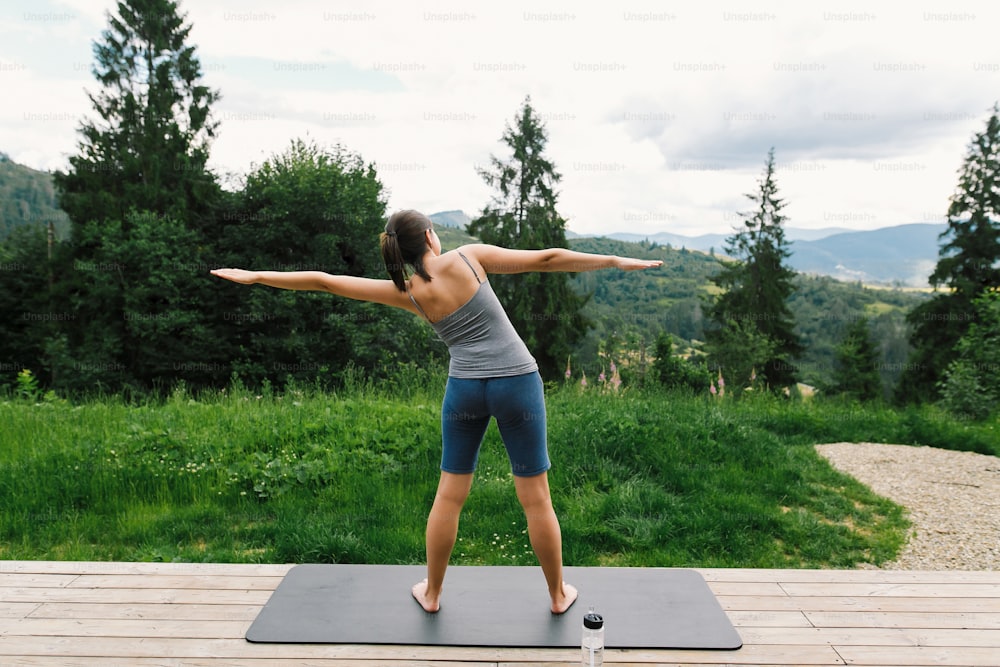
(491, 374)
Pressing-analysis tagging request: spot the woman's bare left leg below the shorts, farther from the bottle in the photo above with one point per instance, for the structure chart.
(442, 529)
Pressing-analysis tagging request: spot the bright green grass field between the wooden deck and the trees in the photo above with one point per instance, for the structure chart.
(641, 478)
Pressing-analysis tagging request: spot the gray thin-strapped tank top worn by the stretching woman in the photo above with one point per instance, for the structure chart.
(481, 340)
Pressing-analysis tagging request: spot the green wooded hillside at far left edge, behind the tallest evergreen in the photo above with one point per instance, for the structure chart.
(27, 197)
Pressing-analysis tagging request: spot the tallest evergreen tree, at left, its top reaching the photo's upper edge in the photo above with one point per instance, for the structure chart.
(140, 200)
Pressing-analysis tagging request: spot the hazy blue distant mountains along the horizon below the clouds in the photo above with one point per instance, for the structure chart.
(902, 255)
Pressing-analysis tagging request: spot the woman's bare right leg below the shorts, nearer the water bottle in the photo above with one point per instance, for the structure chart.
(545, 536)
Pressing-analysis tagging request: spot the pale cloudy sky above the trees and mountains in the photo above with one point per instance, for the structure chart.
(659, 115)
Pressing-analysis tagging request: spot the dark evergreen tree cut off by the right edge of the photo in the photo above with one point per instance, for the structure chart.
(968, 264)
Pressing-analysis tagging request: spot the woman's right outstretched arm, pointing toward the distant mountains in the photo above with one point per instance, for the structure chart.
(503, 260)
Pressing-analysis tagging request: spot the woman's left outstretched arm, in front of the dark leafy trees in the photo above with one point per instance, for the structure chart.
(351, 287)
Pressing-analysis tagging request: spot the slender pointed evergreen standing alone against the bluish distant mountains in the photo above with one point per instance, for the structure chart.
(756, 290)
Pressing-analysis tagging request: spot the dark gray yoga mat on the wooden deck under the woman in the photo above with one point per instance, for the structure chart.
(492, 606)
